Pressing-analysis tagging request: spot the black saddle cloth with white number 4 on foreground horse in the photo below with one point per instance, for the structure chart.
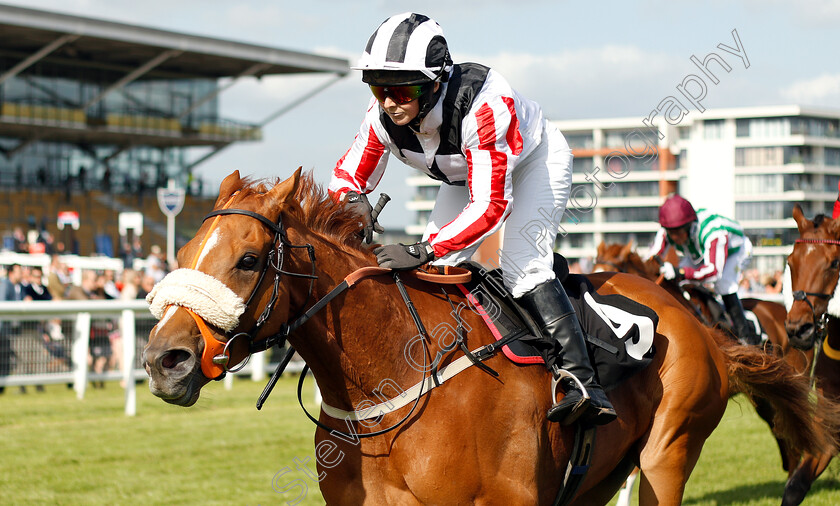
(619, 331)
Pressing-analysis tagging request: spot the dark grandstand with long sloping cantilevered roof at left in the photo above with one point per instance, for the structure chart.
(95, 115)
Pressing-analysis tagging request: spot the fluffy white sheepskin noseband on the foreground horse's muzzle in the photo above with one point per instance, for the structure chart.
(205, 295)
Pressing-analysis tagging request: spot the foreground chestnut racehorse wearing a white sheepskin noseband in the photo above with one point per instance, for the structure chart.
(271, 252)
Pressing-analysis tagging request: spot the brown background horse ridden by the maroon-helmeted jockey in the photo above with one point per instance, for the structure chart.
(623, 258)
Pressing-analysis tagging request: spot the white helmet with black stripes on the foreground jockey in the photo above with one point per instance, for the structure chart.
(406, 49)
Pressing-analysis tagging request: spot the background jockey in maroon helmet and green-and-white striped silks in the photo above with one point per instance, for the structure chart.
(713, 250)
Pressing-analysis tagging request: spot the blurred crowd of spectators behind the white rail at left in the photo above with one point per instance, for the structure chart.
(32, 283)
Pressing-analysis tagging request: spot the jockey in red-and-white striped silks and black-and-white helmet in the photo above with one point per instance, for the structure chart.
(499, 161)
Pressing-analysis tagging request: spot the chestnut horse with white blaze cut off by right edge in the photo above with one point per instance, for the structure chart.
(813, 316)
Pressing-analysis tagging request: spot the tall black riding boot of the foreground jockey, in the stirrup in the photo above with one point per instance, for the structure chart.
(551, 309)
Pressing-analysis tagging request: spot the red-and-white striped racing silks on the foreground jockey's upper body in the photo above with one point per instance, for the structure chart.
(499, 129)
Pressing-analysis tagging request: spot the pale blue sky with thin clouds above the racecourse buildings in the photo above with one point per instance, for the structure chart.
(578, 60)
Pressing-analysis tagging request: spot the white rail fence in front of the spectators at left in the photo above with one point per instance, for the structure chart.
(30, 355)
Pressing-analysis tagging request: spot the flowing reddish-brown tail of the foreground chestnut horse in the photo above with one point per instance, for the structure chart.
(803, 417)
